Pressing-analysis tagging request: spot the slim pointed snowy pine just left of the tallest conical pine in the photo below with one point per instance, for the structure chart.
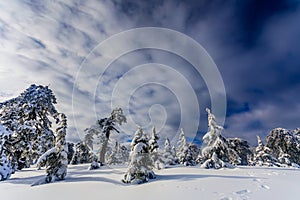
(184, 152)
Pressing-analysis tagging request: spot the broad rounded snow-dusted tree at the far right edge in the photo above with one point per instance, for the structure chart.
(285, 145)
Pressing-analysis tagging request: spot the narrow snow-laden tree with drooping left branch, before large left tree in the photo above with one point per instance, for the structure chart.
(56, 158)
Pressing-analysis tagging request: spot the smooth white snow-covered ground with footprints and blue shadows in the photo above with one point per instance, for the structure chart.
(172, 183)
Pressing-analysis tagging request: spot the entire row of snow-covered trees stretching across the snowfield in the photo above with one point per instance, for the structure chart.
(27, 138)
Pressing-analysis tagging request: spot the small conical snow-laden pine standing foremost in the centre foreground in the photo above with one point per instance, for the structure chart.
(140, 162)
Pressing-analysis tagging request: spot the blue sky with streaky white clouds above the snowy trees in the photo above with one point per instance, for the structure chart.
(254, 43)
